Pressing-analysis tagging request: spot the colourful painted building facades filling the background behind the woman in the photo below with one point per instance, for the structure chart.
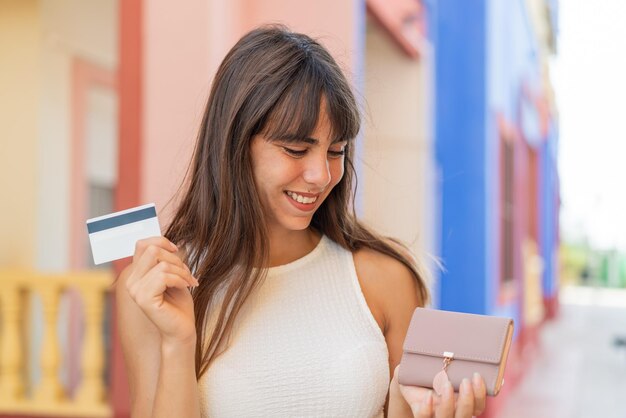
(457, 155)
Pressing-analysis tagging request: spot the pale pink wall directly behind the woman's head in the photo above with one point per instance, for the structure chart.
(182, 47)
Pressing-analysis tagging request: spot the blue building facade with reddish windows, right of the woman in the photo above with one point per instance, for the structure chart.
(496, 146)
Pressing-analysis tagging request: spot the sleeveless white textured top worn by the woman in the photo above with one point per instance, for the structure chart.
(305, 344)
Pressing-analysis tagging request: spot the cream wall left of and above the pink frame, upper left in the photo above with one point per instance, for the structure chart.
(70, 28)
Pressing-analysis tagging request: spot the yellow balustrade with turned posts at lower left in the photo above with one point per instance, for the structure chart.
(48, 397)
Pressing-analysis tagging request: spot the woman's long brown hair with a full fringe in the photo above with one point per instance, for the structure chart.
(272, 81)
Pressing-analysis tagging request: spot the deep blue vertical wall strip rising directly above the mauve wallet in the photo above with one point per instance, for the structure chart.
(460, 33)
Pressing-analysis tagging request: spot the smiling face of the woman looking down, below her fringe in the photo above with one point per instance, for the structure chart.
(294, 178)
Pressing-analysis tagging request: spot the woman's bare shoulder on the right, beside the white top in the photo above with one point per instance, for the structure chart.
(390, 287)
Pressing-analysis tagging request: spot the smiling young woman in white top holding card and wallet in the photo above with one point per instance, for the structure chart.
(295, 308)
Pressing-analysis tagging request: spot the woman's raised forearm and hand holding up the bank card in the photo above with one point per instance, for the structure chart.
(157, 330)
